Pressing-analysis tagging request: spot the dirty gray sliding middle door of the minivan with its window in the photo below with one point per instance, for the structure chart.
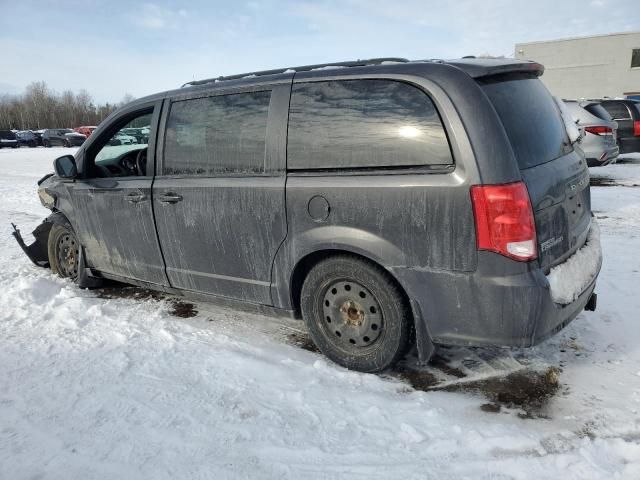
(219, 197)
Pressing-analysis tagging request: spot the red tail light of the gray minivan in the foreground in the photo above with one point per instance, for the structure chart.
(504, 220)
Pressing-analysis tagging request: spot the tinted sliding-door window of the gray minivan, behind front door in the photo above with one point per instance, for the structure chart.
(224, 134)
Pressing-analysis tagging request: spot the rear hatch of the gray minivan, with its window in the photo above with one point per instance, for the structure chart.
(555, 174)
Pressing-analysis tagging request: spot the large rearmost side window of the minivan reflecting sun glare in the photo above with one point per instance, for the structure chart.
(364, 124)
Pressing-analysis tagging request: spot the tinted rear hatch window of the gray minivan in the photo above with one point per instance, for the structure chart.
(530, 117)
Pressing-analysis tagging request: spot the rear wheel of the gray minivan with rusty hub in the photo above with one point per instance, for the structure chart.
(356, 313)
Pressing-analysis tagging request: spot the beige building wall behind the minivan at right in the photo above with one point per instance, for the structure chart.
(589, 67)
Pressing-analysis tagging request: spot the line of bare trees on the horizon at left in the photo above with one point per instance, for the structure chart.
(40, 107)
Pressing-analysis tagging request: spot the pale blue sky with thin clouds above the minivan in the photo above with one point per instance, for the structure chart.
(115, 47)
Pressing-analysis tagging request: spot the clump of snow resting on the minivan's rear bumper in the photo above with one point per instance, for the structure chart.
(569, 279)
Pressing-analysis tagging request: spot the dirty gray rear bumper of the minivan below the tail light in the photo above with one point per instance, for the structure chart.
(502, 303)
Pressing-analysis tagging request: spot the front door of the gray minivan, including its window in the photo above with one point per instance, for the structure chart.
(113, 200)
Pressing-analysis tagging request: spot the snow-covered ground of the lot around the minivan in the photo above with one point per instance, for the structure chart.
(118, 384)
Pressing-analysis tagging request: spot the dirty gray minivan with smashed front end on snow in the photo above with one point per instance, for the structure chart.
(387, 203)
